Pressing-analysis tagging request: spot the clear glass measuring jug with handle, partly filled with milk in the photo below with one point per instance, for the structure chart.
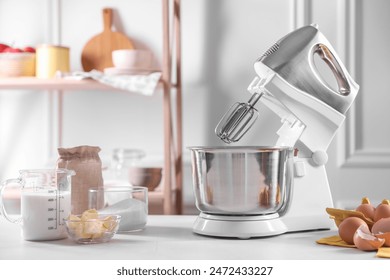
(45, 202)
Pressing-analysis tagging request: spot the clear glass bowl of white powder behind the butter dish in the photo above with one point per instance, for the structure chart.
(130, 202)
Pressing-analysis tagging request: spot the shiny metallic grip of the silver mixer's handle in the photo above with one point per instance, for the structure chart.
(327, 56)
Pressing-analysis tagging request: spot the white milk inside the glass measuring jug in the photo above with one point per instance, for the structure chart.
(43, 214)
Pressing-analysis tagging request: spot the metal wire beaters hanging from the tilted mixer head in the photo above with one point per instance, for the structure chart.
(238, 120)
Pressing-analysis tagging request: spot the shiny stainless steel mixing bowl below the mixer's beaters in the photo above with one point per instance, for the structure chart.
(242, 180)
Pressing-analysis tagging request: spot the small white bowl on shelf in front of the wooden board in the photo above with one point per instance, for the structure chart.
(132, 59)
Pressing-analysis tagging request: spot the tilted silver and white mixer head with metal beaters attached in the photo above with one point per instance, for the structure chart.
(289, 78)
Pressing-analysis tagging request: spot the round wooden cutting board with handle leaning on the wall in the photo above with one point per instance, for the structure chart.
(97, 51)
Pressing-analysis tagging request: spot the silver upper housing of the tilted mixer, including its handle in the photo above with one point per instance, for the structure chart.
(292, 57)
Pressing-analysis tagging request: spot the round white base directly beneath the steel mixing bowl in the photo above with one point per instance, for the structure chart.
(242, 227)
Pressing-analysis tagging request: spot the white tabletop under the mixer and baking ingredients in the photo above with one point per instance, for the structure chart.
(171, 237)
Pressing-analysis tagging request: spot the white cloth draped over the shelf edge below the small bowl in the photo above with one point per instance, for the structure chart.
(143, 84)
